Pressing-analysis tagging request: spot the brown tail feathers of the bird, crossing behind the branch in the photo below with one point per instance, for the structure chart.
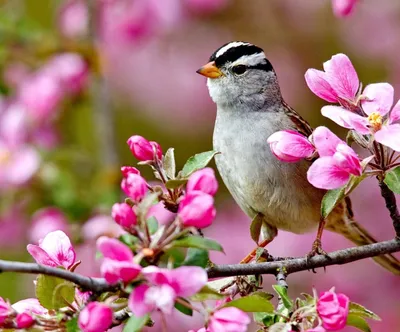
(360, 236)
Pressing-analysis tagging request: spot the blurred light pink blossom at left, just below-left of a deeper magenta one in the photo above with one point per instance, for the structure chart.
(41, 94)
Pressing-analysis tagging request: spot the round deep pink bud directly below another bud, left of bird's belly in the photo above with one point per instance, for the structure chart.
(197, 209)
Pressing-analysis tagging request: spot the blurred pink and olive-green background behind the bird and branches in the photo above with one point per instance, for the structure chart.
(79, 77)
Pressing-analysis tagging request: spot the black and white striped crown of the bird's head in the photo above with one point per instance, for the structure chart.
(251, 55)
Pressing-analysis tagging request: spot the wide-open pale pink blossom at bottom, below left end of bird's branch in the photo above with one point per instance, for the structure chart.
(166, 286)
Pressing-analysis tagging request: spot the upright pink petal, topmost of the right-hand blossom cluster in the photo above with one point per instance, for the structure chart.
(342, 76)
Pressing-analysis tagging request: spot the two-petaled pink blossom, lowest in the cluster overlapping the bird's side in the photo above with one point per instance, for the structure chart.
(337, 161)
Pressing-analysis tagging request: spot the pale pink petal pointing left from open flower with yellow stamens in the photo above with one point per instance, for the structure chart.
(346, 119)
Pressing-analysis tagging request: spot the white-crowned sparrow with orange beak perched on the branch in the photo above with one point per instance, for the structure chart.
(244, 86)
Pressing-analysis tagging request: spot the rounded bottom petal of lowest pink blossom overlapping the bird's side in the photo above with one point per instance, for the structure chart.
(325, 174)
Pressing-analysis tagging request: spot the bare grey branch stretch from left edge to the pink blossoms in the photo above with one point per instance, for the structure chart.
(95, 285)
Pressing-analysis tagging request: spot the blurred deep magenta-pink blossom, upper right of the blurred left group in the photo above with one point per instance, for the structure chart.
(70, 69)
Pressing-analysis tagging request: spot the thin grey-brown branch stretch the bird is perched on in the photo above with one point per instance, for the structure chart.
(339, 257)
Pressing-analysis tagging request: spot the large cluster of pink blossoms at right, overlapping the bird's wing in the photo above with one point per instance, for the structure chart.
(369, 114)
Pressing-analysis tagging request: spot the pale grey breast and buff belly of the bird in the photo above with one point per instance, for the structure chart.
(256, 179)
